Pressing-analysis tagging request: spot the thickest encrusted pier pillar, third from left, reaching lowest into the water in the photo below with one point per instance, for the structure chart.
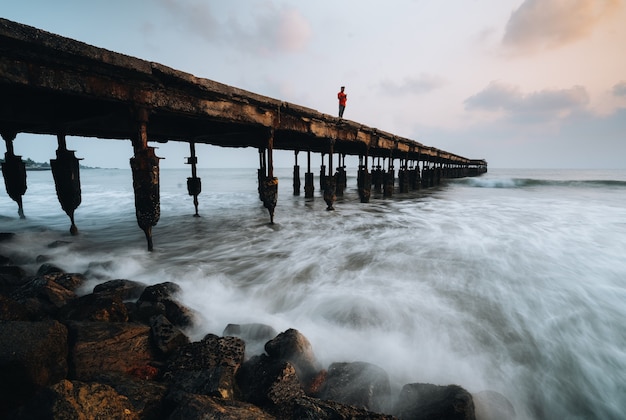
(145, 168)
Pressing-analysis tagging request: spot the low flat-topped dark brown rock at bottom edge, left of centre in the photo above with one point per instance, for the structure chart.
(190, 406)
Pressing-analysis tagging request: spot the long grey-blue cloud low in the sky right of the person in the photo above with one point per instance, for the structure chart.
(544, 105)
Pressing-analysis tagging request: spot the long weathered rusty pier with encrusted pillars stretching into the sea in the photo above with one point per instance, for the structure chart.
(55, 85)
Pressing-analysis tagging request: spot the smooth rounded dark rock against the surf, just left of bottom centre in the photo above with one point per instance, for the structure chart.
(295, 348)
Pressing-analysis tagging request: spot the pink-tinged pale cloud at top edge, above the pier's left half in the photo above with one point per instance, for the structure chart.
(261, 28)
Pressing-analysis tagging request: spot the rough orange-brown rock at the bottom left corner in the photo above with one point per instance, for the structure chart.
(77, 400)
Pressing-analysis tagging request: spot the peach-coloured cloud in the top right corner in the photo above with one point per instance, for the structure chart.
(548, 24)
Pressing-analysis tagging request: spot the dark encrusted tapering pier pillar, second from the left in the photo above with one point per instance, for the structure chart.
(66, 174)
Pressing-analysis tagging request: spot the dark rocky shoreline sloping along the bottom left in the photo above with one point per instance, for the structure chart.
(120, 352)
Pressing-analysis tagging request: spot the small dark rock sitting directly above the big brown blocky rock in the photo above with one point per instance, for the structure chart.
(95, 307)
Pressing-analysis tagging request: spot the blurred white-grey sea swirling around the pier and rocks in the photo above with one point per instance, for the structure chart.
(513, 281)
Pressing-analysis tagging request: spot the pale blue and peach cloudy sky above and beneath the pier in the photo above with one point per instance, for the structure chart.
(520, 83)
